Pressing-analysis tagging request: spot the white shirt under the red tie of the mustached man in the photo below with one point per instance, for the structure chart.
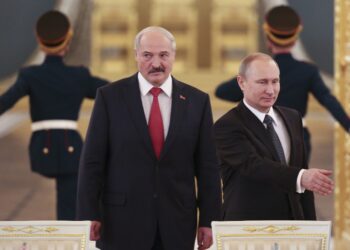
(164, 99)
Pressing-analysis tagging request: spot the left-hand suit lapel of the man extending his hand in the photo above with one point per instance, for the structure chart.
(257, 128)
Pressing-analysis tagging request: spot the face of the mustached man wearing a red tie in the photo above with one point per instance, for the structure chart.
(155, 57)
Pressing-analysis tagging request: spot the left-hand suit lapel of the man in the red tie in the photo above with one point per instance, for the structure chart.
(132, 97)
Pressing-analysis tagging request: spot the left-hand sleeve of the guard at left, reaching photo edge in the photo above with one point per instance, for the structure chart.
(18, 90)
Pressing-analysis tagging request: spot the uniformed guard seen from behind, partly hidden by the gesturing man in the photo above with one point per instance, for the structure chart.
(297, 78)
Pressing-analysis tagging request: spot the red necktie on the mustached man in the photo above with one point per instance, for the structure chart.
(155, 123)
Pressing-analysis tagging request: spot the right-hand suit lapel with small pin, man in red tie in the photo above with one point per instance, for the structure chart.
(178, 108)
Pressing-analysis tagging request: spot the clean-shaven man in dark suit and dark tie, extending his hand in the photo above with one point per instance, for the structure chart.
(261, 152)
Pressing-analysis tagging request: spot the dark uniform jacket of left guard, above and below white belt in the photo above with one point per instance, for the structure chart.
(55, 92)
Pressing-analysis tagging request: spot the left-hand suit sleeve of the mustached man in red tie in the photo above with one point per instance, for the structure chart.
(92, 163)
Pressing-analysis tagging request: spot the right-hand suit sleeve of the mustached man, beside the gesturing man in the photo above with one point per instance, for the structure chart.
(207, 171)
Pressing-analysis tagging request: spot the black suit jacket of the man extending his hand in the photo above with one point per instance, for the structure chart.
(256, 185)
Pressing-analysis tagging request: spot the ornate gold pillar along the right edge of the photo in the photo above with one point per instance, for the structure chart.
(342, 152)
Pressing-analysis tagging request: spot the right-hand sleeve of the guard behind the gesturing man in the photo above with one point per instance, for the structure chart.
(325, 97)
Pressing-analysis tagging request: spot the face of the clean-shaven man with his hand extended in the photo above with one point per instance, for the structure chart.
(261, 84)
